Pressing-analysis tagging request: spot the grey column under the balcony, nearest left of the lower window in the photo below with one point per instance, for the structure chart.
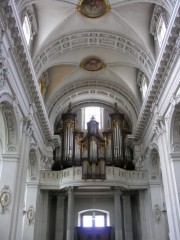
(70, 215)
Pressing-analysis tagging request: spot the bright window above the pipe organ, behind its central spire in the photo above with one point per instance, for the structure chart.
(92, 111)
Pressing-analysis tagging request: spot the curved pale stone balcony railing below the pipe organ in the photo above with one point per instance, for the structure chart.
(73, 177)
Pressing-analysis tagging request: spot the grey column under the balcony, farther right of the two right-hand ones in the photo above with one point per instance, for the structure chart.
(127, 217)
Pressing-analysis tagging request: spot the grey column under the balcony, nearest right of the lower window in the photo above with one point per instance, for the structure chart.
(117, 214)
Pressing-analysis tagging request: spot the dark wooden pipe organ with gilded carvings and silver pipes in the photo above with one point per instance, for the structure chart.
(93, 150)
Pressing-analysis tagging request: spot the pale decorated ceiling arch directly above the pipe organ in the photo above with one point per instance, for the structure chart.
(78, 92)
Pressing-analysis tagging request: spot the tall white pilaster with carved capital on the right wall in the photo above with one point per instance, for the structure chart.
(170, 188)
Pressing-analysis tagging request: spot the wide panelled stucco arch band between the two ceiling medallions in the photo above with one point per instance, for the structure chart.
(74, 40)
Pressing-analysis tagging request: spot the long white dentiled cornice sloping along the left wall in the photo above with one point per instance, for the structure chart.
(12, 24)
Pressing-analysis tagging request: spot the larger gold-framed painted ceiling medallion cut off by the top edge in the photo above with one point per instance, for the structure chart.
(93, 8)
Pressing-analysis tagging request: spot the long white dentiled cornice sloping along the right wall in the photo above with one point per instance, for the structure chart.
(167, 59)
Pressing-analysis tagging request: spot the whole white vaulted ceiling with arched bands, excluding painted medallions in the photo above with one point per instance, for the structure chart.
(120, 38)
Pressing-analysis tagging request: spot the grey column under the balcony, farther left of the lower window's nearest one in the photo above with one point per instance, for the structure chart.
(59, 218)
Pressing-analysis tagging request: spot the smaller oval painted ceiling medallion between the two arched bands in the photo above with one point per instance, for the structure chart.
(92, 63)
